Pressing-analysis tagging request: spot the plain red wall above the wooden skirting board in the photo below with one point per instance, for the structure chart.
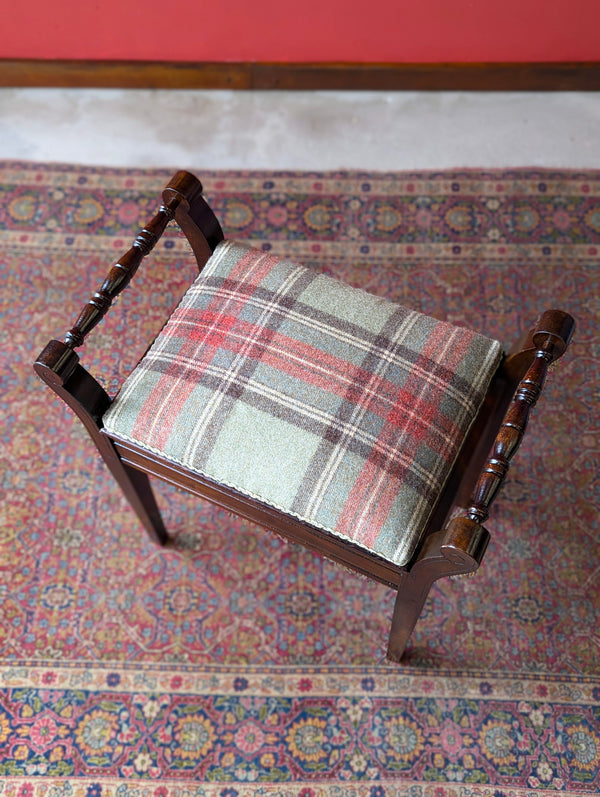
(418, 31)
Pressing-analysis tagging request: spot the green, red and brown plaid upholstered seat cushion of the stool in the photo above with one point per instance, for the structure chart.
(331, 404)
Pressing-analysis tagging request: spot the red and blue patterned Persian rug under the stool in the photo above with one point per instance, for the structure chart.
(231, 662)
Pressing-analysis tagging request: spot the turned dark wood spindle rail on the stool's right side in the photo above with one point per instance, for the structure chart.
(550, 338)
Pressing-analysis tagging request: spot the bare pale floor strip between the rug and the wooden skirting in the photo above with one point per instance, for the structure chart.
(300, 130)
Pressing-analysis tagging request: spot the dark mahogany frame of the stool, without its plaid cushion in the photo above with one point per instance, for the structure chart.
(447, 548)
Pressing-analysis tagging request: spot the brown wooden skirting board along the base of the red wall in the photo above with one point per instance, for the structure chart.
(548, 76)
